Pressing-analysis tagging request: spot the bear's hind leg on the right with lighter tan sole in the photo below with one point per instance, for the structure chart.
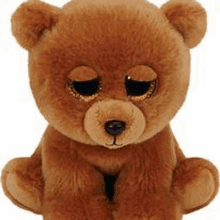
(196, 183)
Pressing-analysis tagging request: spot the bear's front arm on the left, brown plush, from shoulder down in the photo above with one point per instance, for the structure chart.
(73, 187)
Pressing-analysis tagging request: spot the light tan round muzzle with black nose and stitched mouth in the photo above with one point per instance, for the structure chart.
(114, 123)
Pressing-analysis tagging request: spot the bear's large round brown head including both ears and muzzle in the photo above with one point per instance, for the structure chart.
(109, 73)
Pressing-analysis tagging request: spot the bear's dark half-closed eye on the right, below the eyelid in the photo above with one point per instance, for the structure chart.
(139, 88)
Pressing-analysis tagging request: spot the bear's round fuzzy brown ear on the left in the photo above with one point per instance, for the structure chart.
(31, 19)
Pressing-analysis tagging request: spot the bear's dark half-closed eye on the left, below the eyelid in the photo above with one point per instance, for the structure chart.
(86, 88)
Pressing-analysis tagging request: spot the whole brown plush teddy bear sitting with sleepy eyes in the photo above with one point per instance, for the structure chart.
(109, 76)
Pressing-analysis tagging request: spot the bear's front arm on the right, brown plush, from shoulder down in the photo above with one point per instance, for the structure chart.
(143, 186)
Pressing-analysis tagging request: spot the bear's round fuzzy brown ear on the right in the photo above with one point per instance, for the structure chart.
(189, 18)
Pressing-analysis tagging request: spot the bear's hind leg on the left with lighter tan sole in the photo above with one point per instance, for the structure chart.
(22, 183)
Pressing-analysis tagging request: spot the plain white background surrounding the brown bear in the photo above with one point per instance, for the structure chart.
(196, 126)
